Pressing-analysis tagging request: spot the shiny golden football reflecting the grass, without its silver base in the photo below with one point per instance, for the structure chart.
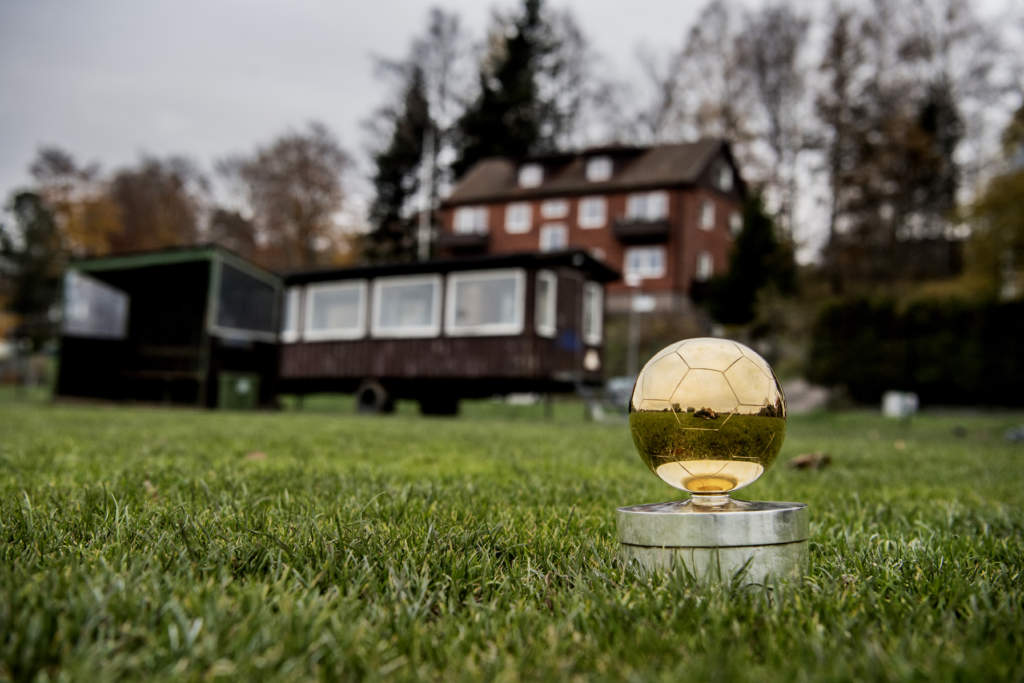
(708, 415)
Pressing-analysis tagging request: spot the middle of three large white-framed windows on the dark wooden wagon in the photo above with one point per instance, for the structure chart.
(407, 307)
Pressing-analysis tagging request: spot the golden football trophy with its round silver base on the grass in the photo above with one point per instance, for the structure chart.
(708, 417)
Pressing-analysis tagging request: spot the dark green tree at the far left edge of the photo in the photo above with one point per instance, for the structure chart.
(34, 252)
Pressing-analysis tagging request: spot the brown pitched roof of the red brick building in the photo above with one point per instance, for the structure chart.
(634, 168)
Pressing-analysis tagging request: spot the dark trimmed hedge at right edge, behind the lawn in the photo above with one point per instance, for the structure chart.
(951, 353)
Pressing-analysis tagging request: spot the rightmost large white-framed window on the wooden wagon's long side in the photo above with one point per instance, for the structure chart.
(485, 303)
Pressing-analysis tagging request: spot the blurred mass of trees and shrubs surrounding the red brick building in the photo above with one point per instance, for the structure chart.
(883, 143)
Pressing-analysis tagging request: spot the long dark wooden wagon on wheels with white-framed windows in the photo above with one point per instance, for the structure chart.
(441, 331)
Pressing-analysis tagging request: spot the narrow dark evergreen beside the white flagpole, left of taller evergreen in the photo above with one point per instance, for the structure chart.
(397, 180)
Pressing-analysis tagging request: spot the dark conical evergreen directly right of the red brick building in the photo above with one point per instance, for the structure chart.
(759, 261)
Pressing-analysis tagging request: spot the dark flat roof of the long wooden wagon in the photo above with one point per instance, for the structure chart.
(577, 259)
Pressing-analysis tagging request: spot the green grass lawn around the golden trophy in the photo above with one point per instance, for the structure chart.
(144, 544)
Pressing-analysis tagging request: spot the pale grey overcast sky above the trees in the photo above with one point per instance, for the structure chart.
(110, 79)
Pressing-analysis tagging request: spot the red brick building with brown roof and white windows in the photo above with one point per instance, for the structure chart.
(664, 217)
